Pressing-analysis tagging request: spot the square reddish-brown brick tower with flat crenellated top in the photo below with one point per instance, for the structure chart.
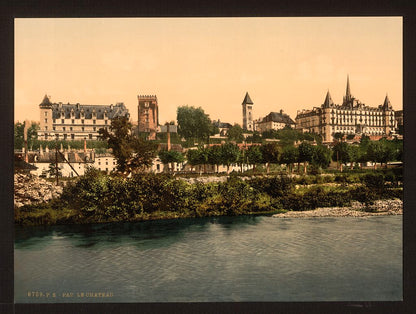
(148, 115)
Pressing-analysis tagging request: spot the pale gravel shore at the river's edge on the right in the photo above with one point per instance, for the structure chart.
(357, 209)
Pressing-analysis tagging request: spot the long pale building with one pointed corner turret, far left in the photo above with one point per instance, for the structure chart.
(60, 121)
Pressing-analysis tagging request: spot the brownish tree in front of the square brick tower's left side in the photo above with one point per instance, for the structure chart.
(132, 153)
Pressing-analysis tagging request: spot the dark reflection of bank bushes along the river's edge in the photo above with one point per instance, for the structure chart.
(157, 233)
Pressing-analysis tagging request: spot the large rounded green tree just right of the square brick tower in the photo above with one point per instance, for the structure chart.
(194, 124)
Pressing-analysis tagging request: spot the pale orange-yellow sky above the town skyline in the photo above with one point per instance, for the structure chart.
(284, 64)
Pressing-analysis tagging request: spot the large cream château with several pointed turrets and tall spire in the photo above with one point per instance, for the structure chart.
(351, 117)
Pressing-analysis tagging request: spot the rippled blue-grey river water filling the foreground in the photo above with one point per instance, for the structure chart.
(212, 259)
